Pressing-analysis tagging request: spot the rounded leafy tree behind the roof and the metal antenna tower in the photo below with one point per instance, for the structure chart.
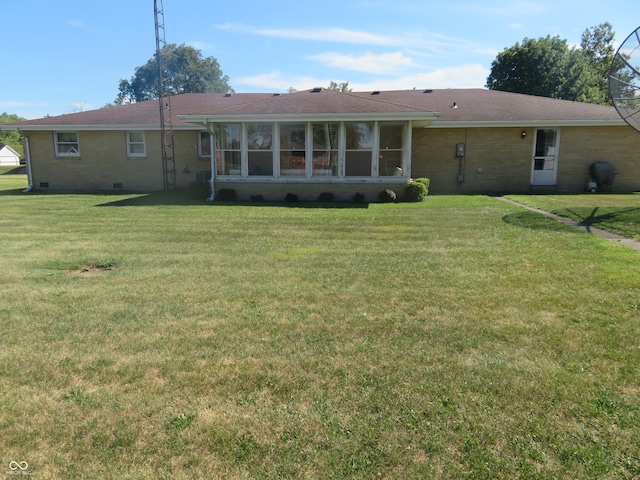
(188, 72)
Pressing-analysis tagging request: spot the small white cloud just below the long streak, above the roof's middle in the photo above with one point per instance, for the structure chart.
(383, 64)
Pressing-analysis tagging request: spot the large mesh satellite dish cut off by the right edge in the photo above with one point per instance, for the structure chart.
(624, 80)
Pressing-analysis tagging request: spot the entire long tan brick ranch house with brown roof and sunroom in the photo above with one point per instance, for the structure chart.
(467, 141)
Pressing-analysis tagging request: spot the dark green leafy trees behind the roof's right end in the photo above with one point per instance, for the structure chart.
(548, 67)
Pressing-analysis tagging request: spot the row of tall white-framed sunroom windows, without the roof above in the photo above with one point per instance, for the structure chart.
(329, 151)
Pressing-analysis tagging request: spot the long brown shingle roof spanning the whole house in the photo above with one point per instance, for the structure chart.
(473, 106)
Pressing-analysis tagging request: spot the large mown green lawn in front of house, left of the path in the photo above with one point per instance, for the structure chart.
(148, 336)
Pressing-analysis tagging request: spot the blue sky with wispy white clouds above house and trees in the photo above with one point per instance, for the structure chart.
(66, 56)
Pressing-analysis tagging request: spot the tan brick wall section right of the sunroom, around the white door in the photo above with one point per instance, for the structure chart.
(505, 158)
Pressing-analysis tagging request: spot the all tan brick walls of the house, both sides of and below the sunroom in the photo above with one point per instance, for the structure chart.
(497, 160)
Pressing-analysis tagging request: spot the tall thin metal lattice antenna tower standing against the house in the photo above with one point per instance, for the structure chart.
(164, 100)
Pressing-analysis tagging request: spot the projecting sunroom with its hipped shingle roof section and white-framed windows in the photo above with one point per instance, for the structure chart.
(309, 138)
